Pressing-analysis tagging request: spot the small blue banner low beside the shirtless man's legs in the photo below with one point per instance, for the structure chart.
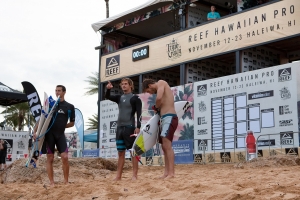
(183, 150)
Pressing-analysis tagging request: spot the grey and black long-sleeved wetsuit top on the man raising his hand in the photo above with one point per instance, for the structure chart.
(129, 104)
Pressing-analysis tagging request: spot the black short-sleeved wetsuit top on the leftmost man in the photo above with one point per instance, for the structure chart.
(63, 113)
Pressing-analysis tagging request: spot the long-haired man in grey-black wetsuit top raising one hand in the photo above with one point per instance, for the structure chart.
(129, 104)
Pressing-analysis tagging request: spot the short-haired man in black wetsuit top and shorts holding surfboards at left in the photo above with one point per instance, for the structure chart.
(56, 135)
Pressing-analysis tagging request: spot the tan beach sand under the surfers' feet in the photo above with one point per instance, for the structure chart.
(274, 177)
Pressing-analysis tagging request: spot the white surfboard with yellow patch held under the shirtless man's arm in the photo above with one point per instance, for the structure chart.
(148, 136)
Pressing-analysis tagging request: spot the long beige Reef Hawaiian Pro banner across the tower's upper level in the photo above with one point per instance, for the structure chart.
(245, 29)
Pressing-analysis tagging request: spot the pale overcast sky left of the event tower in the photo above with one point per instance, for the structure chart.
(52, 42)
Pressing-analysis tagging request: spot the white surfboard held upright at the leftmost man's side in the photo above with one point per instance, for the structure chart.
(43, 131)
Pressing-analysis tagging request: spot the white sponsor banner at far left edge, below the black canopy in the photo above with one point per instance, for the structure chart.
(17, 144)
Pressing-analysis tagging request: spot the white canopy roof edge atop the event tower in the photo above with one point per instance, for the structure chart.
(98, 25)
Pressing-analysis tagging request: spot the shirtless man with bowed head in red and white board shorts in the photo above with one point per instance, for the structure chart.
(169, 120)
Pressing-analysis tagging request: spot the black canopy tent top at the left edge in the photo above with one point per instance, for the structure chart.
(9, 96)
